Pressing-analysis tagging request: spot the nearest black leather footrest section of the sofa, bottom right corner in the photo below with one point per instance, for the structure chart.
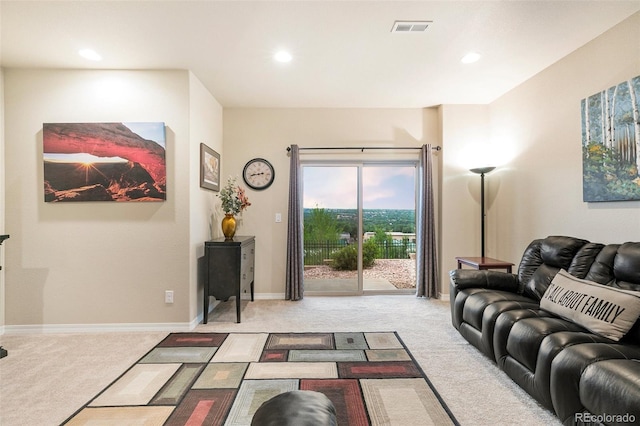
(611, 387)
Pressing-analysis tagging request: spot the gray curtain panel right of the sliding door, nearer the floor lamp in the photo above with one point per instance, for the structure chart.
(426, 256)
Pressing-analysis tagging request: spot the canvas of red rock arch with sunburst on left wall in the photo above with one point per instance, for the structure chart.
(104, 161)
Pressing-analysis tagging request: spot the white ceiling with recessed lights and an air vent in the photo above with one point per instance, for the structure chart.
(344, 54)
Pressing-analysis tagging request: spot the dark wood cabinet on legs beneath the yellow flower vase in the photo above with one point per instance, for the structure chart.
(229, 270)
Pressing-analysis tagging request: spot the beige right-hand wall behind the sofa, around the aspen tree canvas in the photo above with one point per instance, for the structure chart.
(538, 192)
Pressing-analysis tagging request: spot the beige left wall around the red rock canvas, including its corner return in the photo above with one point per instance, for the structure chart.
(104, 263)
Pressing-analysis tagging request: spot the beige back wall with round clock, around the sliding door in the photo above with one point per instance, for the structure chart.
(250, 133)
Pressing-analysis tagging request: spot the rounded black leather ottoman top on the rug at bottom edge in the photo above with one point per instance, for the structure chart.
(296, 408)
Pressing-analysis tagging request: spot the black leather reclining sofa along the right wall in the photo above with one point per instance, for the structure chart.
(581, 376)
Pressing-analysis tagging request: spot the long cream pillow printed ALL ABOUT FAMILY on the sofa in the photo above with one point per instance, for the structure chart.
(604, 310)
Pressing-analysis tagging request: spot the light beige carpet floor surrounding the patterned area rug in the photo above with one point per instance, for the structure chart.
(46, 378)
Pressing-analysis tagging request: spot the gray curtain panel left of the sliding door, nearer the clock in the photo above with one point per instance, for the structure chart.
(295, 256)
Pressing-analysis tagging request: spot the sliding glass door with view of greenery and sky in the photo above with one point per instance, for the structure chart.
(359, 228)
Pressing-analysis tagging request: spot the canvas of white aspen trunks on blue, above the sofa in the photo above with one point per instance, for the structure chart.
(611, 143)
